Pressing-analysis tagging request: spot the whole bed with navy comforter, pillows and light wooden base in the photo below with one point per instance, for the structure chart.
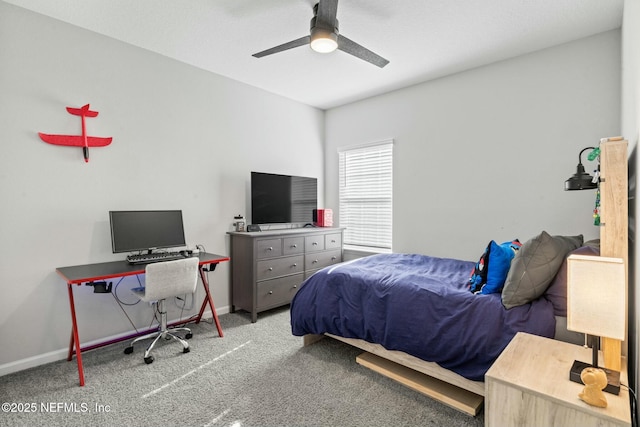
(411, 308)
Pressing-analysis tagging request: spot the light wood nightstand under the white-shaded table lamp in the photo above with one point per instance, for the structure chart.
(528, 385)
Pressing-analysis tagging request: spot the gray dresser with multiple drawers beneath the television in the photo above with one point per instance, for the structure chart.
(268, 267)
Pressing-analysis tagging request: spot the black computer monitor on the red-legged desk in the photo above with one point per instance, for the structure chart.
(146, 230)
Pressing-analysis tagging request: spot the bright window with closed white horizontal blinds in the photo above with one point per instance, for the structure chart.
(366, 190)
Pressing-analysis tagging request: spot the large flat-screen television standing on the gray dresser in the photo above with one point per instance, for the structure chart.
(280, 199)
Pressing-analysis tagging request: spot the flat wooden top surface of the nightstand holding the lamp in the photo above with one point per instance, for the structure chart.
(540, 366)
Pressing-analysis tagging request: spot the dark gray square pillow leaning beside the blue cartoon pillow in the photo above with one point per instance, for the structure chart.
(534, 266)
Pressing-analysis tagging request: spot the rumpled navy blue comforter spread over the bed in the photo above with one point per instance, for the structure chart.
(419, 305)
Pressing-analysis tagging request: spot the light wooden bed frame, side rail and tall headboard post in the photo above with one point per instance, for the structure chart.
(468, 396)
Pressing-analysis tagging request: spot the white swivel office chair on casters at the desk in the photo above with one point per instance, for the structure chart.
(163, 280)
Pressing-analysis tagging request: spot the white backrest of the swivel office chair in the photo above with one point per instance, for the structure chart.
(170, 278)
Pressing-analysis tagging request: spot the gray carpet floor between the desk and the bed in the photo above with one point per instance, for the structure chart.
(256, 375)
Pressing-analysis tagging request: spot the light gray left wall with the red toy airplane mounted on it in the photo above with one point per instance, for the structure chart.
(198, 133)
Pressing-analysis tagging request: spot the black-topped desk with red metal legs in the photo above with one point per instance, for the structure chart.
(79, 274)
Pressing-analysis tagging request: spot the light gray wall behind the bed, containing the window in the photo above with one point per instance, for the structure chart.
(484, 154)
